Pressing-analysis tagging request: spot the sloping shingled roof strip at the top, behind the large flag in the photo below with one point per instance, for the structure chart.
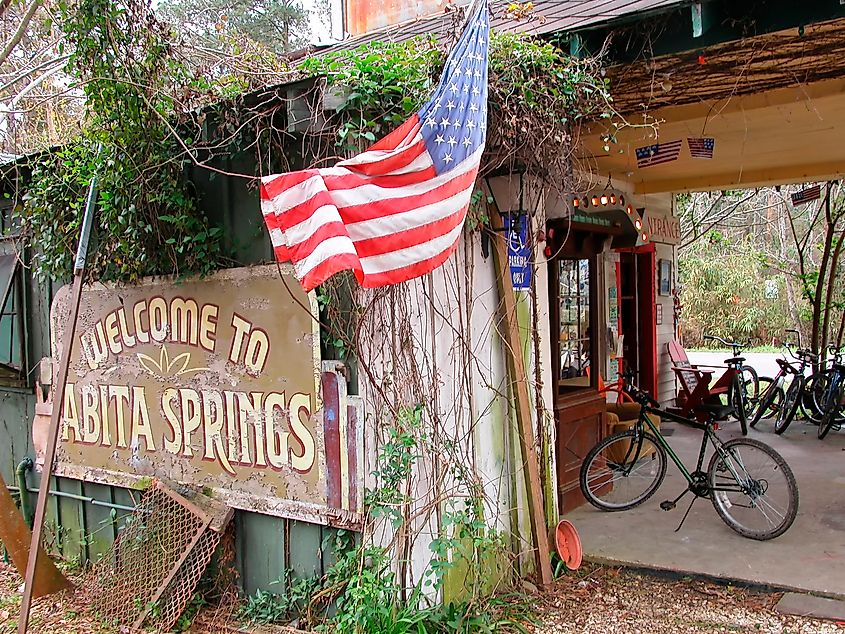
(547, 16)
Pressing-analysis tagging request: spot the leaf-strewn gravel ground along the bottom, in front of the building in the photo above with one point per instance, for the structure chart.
(596, 599)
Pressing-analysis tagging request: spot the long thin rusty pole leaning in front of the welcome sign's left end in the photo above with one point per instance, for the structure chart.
(58, 402)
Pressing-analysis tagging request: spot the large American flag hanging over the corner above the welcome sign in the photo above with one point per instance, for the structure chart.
(395, 211)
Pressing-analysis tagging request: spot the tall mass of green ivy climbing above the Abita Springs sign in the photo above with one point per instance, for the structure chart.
(149, 221)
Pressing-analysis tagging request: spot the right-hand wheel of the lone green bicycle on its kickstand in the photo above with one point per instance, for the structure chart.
(753, 489)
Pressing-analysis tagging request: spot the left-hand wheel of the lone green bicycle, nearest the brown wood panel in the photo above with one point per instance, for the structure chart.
(623, 470)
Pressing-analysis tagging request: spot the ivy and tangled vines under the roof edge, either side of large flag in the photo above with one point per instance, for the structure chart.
(537, 98)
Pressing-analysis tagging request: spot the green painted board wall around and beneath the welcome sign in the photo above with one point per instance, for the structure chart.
(265, 547)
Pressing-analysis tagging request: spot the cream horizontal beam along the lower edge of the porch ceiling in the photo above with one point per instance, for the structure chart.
(785, 174)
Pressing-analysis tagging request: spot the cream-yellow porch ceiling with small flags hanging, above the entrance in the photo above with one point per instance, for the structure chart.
(779, 136)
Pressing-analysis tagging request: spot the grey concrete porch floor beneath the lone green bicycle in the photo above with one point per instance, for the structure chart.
(809, 557)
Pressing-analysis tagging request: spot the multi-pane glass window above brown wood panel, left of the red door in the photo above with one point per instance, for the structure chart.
(575, 341)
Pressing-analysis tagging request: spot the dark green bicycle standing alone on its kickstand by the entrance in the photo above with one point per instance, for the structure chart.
(750, 485)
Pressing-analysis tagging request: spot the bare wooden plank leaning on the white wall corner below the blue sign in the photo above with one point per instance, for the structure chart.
(519, 379)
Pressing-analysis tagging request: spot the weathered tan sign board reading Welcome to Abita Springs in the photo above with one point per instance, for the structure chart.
(215, 382)
